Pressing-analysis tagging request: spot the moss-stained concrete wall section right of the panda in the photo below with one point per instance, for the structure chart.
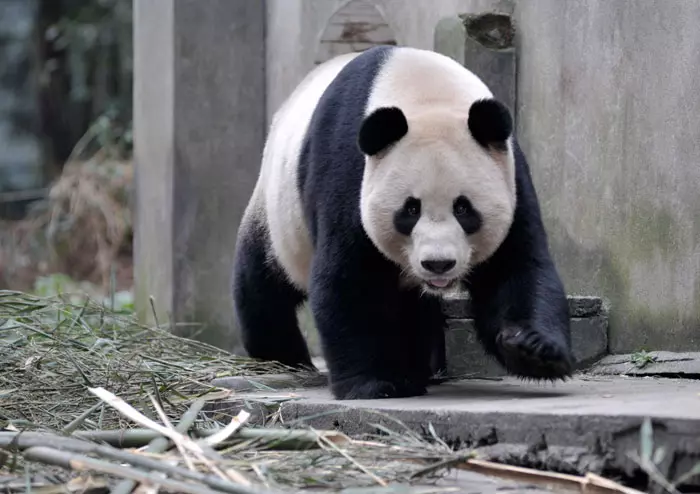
(608, 107)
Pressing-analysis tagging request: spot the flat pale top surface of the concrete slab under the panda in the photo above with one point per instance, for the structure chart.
(617, 396)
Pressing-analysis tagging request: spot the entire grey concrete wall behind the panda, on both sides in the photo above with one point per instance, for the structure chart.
(606, 96)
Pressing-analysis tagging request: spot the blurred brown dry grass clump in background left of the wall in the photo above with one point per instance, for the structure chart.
(83, 228)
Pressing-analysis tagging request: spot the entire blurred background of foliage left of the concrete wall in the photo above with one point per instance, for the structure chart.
(76, 71)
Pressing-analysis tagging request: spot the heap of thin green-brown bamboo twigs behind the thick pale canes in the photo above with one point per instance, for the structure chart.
(51, 351)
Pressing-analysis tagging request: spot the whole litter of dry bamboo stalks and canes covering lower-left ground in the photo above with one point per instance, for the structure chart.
(56, 352)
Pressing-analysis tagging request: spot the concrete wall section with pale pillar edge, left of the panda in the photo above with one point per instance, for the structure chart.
(199, 126)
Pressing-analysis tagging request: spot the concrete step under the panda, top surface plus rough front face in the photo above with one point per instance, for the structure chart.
(585, 424)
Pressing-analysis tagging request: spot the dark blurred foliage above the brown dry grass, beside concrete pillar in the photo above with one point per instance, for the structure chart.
(86, 72)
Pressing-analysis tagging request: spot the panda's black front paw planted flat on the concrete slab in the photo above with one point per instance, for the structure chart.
(370, 388)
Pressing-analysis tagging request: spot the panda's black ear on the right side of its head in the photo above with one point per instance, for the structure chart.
(490, 123)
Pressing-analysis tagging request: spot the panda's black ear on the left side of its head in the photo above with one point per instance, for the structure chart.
(380, 129)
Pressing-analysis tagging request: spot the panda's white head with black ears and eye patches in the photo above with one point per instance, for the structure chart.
(438, 192)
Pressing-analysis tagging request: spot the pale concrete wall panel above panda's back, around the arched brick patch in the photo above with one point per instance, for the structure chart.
(295, 28)
